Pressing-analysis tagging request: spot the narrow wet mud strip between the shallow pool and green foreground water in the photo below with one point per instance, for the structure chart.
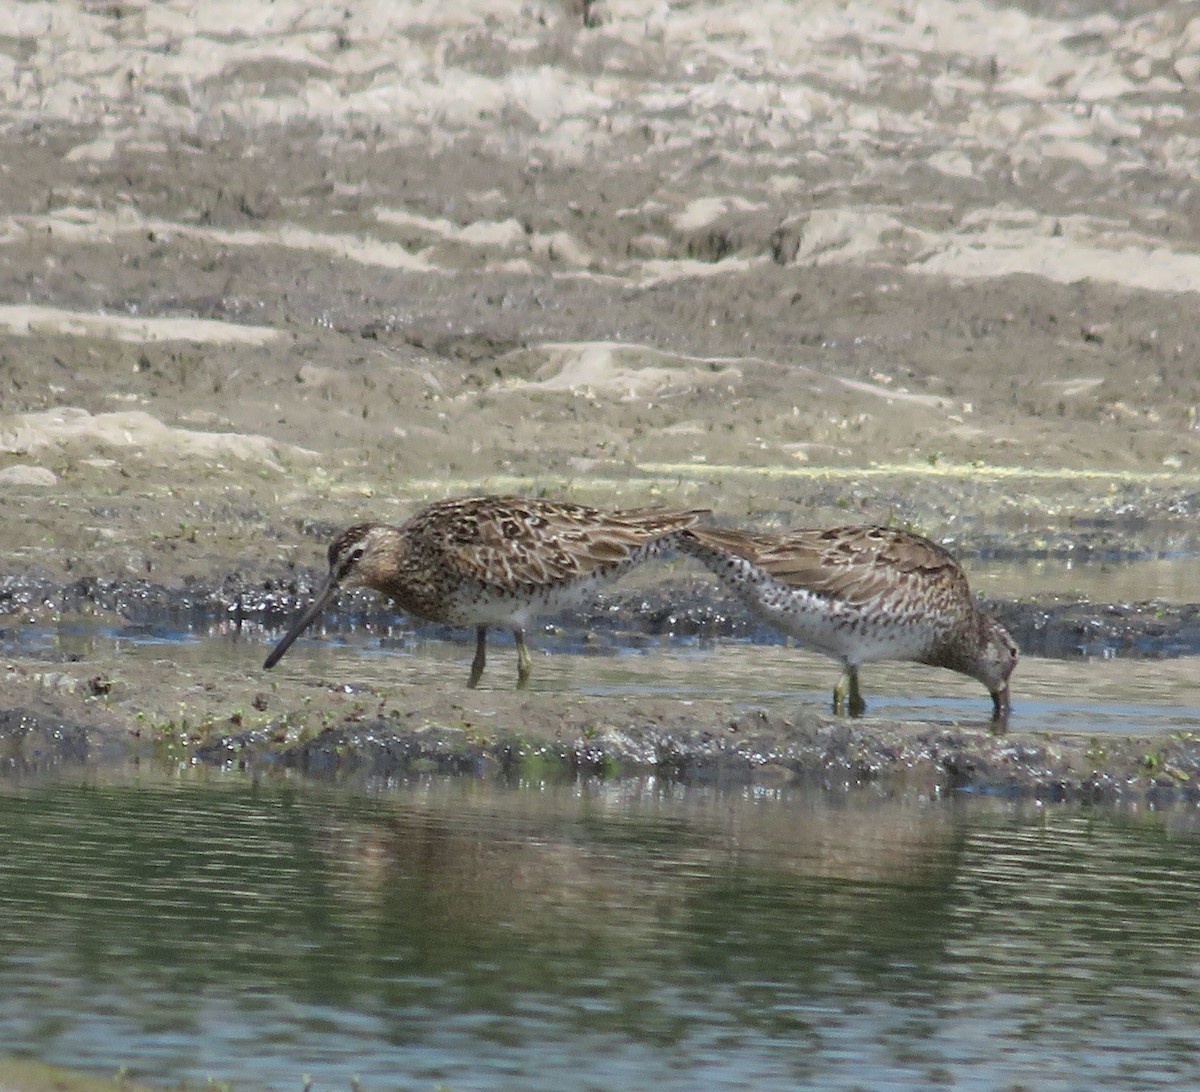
(526, 742)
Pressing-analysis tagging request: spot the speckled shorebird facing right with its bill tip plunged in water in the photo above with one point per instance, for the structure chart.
(861, 595)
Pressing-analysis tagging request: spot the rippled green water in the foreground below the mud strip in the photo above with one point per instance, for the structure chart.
(617, 937)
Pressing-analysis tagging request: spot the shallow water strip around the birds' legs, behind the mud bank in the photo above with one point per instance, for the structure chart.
(1081, 695)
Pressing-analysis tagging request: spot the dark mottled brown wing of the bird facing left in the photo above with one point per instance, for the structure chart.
(513, 541)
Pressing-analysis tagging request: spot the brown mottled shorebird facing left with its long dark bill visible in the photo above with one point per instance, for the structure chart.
(493, 561)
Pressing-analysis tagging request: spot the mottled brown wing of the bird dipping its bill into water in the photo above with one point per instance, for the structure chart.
(855, 565)
